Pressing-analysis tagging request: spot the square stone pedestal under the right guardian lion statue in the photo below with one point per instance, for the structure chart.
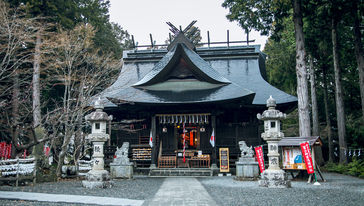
(247, 168)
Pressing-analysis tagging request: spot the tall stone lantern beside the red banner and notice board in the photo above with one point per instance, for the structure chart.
(274, 176)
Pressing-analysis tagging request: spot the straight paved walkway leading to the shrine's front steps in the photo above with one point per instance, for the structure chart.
(181, 191)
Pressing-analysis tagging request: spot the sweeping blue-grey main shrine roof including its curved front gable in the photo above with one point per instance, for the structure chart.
(234, 73)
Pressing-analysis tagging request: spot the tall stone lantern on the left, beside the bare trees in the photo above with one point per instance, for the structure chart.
(98, 176)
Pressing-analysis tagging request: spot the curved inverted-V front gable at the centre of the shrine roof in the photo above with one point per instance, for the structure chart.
(199, 67)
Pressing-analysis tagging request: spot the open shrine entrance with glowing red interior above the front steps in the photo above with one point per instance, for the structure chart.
(183, 141)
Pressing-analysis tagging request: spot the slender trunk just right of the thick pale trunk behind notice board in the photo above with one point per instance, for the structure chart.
(315, 121)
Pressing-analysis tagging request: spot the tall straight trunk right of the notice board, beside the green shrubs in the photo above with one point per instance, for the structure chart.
(339, 96)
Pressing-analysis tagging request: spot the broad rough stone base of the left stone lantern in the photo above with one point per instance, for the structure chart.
(97, 179)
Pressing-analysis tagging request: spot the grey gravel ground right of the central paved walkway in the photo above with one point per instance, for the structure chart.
(338, 190)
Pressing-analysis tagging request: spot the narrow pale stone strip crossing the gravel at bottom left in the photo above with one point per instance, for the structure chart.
(31, 196)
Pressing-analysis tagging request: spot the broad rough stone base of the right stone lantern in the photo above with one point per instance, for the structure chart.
(274, 179)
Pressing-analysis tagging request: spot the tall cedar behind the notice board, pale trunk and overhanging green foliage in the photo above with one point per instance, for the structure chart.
(267, 16)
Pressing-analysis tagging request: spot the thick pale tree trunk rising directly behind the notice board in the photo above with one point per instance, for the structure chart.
(302, 83)
